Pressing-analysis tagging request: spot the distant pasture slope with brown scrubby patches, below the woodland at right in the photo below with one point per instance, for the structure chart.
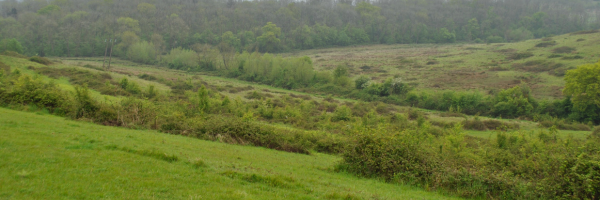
(461, 67)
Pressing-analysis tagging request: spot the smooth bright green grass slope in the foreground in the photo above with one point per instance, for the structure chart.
(48, 157)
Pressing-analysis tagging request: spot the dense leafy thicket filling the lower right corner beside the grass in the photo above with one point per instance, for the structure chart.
(513, 165)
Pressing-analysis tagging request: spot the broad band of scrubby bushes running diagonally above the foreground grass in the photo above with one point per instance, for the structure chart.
(374, 139)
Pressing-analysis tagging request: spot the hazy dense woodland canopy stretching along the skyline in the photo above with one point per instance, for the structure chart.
(80, 28)
